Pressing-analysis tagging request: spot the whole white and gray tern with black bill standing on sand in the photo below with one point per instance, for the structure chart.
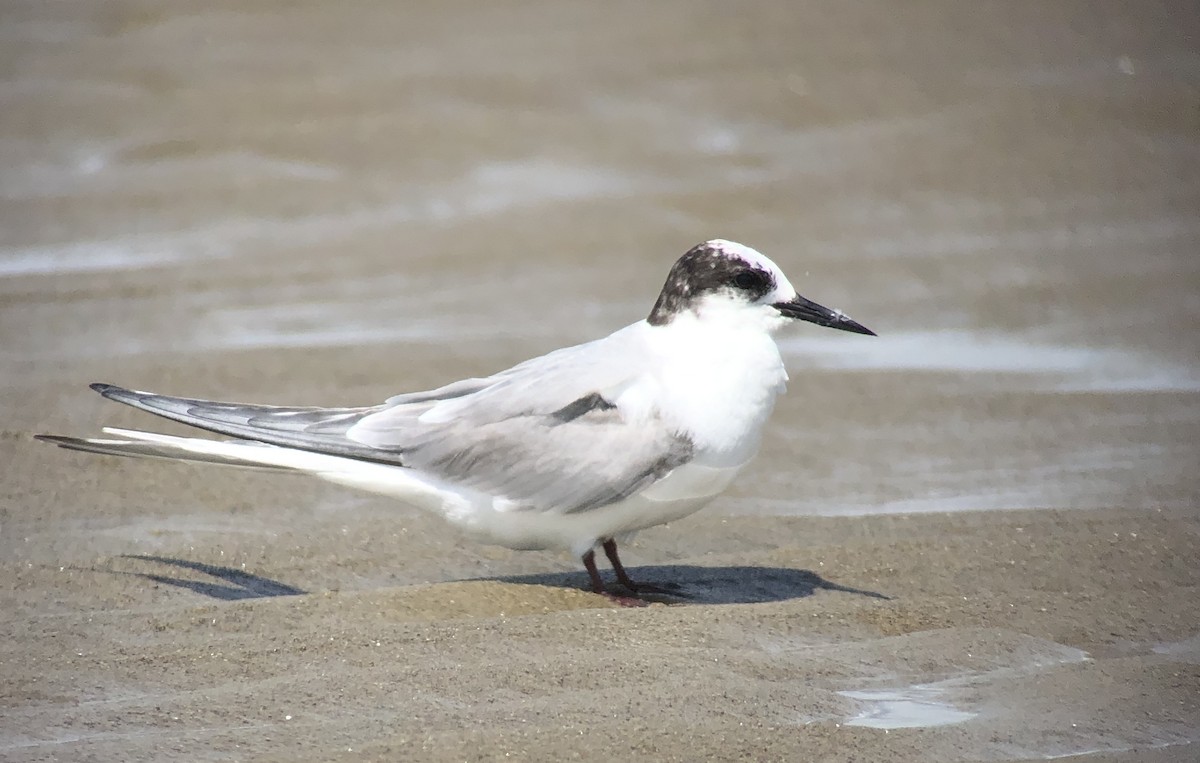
(574, 450)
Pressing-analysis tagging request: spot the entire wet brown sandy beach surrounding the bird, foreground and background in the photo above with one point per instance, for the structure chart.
(975, 538)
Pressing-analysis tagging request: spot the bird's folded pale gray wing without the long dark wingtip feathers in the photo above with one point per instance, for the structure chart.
(549, 435)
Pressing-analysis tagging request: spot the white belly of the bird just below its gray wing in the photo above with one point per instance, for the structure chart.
(683, 492)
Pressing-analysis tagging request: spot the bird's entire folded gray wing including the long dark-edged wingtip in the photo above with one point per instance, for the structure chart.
(548, 435)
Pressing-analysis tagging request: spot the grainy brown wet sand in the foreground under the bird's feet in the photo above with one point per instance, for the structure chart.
(247, 635)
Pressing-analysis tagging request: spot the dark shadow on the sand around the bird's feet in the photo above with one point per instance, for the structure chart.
(685, 584)
